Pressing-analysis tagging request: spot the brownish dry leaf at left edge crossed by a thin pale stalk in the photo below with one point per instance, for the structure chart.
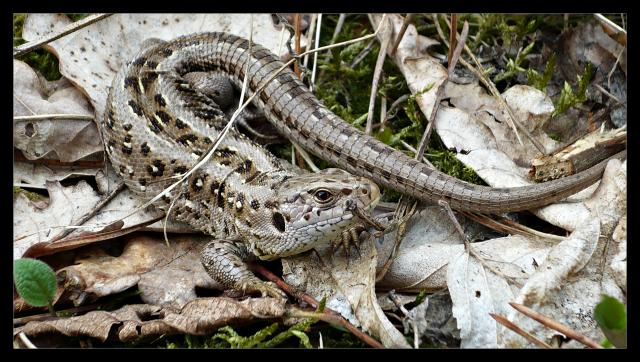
(63, 139)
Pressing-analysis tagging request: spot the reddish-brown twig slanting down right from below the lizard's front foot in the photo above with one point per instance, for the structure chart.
(335, 317)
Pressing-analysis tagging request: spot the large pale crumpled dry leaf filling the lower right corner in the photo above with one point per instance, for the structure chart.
(568, 285)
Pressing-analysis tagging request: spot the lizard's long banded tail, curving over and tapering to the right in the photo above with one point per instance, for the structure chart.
(297, 114)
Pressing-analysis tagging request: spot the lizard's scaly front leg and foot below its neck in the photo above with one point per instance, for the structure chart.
(225, 261)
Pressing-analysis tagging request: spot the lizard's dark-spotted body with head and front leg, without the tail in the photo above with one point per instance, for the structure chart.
(156, 126)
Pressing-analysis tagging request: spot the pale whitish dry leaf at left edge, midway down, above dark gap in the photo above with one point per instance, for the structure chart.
(32, 223)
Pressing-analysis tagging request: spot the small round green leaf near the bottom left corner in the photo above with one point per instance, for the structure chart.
(35, 281)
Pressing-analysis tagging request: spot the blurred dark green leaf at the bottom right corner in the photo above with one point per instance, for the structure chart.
(612, 318)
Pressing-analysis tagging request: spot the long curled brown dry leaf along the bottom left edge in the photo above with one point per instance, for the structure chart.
(132, 322)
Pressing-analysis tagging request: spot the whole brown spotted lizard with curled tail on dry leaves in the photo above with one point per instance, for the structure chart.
(161, 118)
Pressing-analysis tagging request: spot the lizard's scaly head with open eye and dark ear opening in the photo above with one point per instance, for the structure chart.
(315, 208)
